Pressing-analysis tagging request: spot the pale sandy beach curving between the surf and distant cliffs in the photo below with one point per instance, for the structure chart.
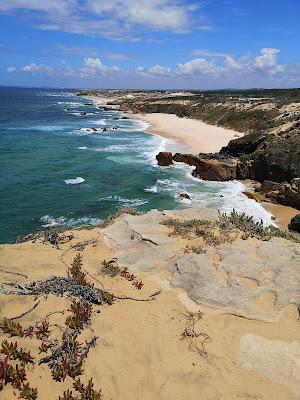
(198, 136)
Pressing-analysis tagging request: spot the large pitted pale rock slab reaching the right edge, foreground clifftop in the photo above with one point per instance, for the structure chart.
(250, 278)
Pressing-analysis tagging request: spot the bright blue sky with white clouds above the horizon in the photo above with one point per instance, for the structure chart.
(150, 44)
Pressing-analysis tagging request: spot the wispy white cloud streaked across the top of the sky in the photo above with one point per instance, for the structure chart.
(116, 19)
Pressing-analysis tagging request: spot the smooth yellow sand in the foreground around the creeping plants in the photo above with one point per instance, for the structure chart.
(140, 353)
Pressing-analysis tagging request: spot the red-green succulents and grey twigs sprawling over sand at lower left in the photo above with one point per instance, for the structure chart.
(64, 353)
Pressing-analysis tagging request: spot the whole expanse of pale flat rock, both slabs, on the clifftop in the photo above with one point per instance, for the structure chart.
(250, 278)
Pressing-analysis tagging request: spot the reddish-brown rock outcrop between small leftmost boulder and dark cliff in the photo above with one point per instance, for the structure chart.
(209, 169)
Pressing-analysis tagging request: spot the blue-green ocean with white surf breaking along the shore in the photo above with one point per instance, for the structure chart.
(59, 166)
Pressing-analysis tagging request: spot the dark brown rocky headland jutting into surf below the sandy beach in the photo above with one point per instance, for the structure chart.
(270, 159)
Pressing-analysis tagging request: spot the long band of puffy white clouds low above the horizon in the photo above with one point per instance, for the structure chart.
(262, 70)
